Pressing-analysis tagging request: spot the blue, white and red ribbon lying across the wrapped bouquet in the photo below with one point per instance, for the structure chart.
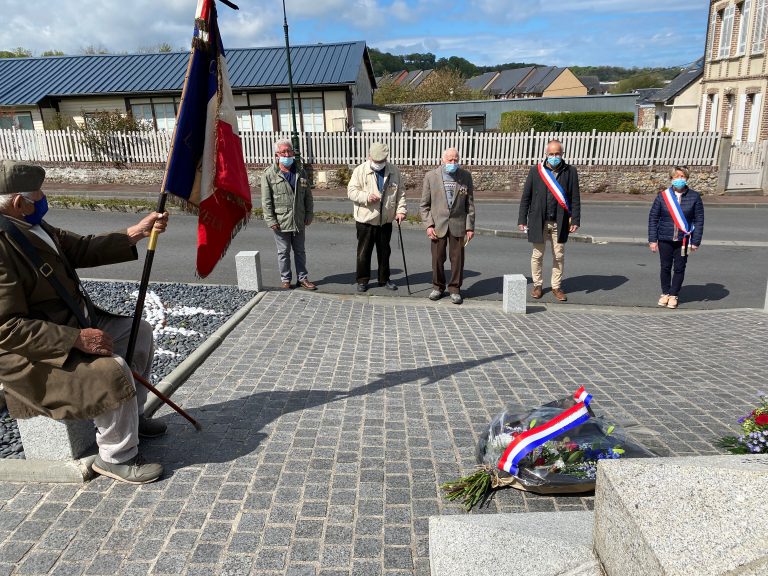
(527, 441)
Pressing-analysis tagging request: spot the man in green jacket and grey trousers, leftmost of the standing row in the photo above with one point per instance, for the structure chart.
(286, 200)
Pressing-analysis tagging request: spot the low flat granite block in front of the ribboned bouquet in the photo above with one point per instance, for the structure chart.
(534, 544)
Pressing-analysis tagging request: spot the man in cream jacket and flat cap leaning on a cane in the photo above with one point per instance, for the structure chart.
(379, 198)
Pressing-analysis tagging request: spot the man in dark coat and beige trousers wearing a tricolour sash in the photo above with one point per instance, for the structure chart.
(550, 209)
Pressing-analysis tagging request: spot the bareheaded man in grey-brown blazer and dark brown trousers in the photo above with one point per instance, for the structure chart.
(448, 211)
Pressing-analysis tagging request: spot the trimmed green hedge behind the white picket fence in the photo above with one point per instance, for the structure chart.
(525, 120)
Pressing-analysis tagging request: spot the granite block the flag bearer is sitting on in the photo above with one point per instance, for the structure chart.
(60, 440)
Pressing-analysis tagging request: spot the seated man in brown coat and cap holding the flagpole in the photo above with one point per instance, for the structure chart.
(61, 356)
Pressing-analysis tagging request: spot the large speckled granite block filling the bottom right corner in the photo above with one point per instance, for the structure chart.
(702, 515)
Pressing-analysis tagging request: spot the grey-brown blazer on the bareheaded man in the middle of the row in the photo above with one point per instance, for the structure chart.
(434, 205)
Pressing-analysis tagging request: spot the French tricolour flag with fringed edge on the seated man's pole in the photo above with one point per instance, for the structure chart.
(205, 165)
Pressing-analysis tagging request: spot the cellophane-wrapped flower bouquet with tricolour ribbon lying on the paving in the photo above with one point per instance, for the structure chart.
(552, 449)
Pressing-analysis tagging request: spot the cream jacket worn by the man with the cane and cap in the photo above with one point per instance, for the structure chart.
(363, 182)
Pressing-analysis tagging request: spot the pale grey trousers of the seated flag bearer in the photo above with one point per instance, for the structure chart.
(117, 431)
